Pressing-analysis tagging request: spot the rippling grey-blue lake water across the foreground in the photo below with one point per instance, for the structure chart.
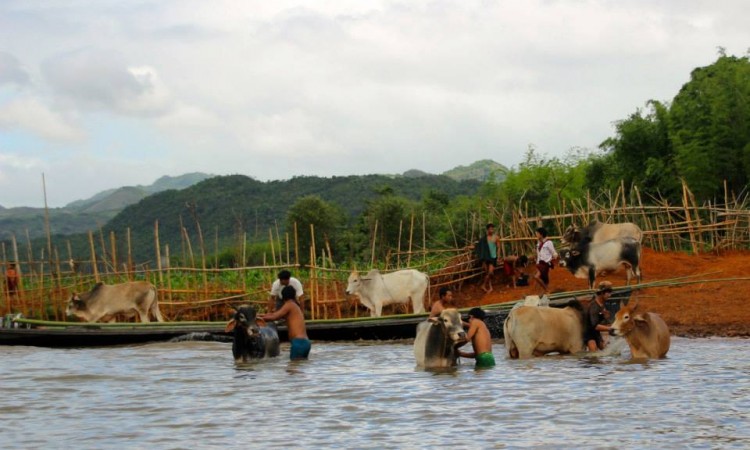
(187, 395)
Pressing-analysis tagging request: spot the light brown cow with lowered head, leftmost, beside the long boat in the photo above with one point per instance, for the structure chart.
(105, 301)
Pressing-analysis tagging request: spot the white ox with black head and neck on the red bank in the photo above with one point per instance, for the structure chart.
(587, 258)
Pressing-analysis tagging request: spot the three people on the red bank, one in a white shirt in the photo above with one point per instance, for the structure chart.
(513, 266)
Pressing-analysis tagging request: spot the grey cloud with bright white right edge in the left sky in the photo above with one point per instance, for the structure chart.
(95, 79)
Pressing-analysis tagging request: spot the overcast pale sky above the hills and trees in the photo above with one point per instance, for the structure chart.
(99, 94)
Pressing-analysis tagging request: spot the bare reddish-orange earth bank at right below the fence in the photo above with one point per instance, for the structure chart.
(700, 309)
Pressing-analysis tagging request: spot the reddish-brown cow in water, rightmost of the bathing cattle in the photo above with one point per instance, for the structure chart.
(646, 332)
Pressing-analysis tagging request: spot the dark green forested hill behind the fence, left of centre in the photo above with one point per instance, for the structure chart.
(230, 205)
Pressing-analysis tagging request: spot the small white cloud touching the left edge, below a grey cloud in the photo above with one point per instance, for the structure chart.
(31, 115)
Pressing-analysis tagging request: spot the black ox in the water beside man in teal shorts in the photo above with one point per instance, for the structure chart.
(252, 338)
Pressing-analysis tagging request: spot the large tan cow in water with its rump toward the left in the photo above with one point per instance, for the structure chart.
(535, 331)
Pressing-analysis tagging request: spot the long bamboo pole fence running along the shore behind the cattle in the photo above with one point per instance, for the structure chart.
(195, 291)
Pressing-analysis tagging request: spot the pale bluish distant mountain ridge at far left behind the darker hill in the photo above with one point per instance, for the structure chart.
(84, 215)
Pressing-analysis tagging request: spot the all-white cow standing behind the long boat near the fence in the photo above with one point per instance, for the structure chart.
(376, 290)
